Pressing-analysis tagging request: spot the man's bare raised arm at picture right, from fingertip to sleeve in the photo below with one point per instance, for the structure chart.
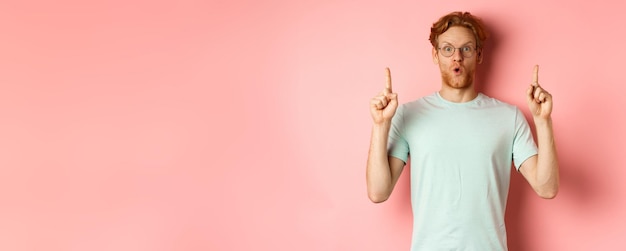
(542, 170)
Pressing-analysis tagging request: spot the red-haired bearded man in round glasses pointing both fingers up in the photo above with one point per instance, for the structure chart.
(461, 144)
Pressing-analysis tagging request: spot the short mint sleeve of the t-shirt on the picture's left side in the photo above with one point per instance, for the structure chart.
(397, 146)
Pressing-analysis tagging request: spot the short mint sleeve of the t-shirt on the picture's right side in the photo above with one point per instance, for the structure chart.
(524, 145)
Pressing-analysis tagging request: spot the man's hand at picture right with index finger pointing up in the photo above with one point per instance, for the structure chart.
(538, 99)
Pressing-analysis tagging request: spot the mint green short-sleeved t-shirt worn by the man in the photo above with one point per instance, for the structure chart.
(461, 156)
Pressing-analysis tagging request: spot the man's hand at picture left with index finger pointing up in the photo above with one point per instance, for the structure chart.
(383, 106)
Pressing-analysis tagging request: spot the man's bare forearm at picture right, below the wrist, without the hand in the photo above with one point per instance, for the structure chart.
(547, 172)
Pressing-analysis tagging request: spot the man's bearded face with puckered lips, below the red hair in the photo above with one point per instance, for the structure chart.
(457, 71)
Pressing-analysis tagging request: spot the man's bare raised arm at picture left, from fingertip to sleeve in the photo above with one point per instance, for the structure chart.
(382, 171)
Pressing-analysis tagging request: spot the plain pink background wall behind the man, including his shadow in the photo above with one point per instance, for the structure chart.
(241, 125)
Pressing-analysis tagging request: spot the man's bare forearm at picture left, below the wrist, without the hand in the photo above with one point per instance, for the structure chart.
(378, 173)
